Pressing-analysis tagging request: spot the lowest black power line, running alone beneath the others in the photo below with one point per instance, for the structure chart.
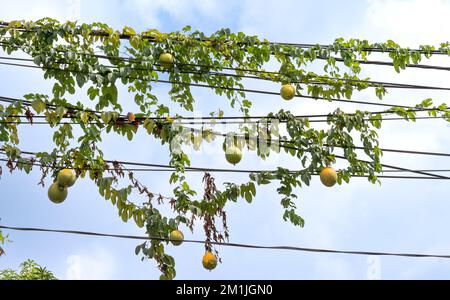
(235, 245)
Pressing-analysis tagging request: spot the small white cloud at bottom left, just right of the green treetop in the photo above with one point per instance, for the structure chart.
(97, 264)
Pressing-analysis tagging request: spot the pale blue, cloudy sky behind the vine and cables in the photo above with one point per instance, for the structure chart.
(398, 216)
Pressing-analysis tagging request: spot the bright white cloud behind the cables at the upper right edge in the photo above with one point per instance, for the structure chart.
(410, 23)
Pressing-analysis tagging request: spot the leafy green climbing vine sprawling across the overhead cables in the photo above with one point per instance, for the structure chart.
(99, 59)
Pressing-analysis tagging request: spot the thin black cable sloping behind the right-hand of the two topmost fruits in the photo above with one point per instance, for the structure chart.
(219, 87)
